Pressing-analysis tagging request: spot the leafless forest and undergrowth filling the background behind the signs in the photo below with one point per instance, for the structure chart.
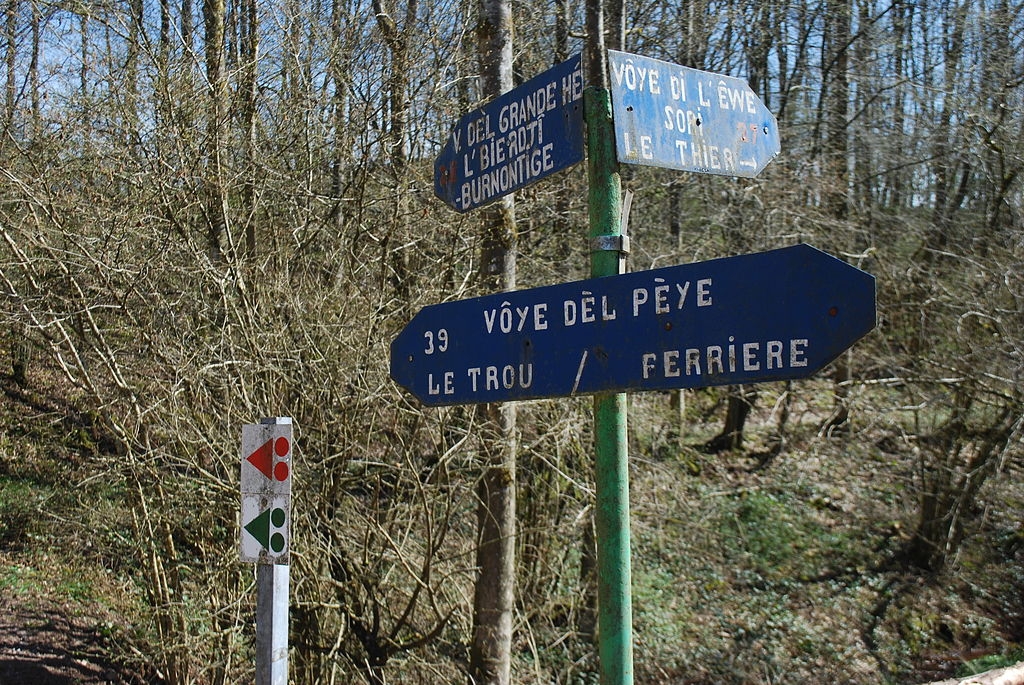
(218, 211)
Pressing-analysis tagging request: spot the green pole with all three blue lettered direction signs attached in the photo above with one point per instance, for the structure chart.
(770, 317)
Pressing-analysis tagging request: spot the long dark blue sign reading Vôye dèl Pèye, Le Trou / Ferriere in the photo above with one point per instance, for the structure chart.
(766, 317)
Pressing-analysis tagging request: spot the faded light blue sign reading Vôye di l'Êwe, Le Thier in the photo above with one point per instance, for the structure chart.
(679, 118)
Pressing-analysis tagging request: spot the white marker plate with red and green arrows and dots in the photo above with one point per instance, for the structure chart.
(267, 492)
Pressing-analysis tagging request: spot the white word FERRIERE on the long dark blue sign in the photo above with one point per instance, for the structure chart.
(712, 360)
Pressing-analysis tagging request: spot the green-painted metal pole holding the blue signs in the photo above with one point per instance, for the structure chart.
(612, 470)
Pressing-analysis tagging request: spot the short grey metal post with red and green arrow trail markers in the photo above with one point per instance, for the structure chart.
(266, 538)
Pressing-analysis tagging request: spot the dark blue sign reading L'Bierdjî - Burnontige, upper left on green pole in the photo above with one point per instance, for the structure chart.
(514, 141)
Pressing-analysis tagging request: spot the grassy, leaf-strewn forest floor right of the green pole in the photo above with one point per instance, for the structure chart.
(777, 576)
